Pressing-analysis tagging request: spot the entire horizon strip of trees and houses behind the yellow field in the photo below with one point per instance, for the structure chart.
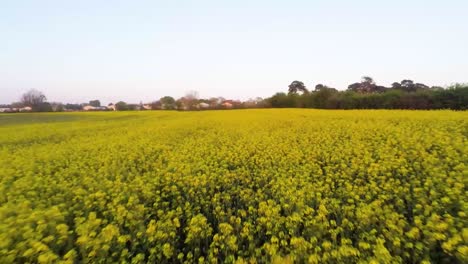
(365, 94)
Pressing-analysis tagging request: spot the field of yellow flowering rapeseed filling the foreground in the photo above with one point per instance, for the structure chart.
(303, 186)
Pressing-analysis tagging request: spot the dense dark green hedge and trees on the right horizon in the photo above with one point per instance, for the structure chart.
(454, 97)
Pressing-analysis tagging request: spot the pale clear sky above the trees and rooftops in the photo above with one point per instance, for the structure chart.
(141, 50)
